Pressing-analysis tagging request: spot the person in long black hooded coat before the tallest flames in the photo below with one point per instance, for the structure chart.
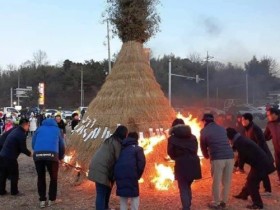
(182, 147)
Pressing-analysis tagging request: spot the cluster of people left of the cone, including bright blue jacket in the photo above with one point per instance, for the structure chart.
(48, 147)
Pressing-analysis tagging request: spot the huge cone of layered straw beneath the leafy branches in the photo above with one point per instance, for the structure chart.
(131, 97)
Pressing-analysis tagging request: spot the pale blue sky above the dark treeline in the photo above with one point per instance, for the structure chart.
(231, 30)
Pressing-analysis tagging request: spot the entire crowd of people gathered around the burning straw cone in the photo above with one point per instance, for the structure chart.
(120, 160)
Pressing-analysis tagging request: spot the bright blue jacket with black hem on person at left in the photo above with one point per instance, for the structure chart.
(47, 142)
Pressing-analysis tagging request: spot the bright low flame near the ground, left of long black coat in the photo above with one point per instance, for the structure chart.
(164, 178)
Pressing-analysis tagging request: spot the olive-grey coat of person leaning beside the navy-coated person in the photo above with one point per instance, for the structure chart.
(101, 168)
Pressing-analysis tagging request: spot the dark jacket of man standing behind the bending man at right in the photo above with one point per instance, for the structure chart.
(254, 132)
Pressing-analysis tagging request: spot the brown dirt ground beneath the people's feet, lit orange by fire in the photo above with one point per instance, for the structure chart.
(82, 195)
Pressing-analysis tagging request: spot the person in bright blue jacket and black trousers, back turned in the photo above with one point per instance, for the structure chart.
(48, 147)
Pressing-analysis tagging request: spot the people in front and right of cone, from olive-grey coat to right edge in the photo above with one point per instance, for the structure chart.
(121, 160)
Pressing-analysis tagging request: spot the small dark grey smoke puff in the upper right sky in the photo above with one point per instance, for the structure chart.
(212, 26)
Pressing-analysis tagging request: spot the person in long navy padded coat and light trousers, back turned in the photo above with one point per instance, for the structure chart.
(128, 170)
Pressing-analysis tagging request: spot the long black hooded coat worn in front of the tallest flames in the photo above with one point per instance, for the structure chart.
(182, 147)
